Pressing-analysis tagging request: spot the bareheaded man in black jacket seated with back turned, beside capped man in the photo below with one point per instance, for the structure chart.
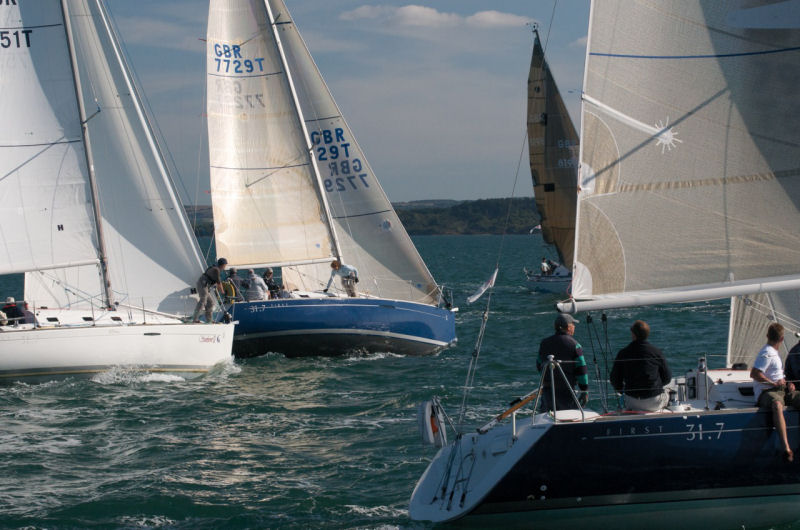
(640, 372)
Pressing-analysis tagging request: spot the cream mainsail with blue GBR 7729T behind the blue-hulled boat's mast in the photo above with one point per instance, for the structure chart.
(268, 209)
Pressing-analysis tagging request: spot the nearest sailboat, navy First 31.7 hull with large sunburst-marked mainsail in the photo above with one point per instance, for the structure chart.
(690, 189)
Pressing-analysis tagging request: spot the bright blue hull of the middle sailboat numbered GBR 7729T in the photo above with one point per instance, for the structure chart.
(334, 326)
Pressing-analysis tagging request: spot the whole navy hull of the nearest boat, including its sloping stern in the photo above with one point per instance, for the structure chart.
(620, 468)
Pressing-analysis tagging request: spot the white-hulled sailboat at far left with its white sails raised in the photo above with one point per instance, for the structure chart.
(89, 213)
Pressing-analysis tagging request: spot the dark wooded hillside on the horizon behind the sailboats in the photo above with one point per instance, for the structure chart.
(486, 216)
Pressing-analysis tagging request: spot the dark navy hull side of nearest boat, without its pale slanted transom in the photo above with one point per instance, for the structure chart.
(713, 457)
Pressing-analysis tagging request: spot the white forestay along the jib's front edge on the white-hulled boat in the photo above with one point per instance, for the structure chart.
(151, 140)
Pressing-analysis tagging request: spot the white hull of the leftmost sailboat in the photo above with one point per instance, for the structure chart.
(49, 352)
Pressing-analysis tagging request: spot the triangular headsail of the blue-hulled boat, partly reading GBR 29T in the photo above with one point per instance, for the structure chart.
(370, 233)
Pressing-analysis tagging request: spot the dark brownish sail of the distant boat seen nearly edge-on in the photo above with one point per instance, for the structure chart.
(553, 148)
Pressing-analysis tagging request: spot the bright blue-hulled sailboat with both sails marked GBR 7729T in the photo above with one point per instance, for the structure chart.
(291, 188)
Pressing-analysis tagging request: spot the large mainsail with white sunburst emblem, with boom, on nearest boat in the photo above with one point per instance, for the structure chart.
(690, 153)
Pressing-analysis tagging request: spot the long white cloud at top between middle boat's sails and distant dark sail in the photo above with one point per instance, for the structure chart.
(422, 16)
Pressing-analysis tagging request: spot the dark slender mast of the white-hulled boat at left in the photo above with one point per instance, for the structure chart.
(108, 294)
